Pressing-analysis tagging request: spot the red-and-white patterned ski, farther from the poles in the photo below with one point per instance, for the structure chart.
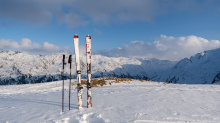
(88, 58)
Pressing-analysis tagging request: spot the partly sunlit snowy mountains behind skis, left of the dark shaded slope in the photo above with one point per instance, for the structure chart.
(23, 68)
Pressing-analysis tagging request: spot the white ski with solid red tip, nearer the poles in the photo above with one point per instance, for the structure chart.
(78, 71)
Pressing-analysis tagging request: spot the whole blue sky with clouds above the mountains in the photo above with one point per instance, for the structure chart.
(162, 29)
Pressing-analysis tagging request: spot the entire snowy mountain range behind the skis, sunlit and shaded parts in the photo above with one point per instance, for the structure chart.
(24, 68)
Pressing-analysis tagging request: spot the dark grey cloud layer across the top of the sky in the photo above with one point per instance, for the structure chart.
(82, 12)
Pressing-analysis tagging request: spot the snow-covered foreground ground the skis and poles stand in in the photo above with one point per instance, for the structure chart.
(130, 102)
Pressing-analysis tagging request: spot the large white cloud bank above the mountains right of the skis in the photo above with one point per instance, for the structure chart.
(166, 48)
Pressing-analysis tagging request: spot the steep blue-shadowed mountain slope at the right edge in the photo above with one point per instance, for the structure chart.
(202, 68)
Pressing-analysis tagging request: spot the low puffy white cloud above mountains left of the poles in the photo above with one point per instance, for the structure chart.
(27, 45)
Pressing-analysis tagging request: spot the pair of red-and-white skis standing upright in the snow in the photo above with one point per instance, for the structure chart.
(78, 71)
